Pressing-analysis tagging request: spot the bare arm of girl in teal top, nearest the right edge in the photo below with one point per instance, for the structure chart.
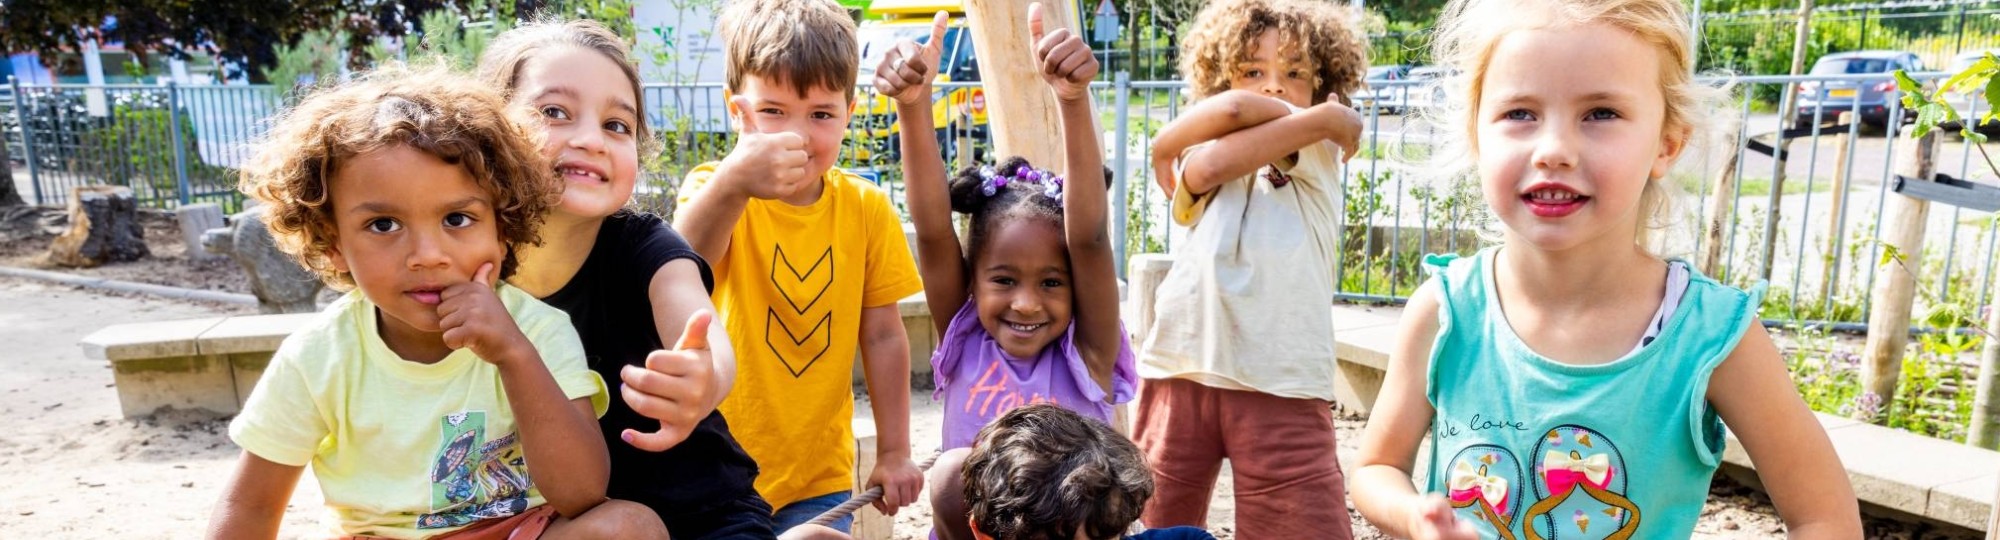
(1755, 397)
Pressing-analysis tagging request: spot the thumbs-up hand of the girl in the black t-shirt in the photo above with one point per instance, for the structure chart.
(675, 387)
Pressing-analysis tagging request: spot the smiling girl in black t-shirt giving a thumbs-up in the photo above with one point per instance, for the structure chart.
(631, 285)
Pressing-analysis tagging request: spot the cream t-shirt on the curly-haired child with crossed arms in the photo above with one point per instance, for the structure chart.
(1249, 301)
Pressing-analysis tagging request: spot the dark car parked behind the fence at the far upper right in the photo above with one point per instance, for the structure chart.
(1821, 103)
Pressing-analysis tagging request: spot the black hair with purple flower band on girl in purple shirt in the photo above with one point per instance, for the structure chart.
(1005, 193)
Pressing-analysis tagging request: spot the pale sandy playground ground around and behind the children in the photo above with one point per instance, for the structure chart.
(71, 467)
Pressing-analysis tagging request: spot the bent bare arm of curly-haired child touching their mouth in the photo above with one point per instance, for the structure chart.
(559, 435)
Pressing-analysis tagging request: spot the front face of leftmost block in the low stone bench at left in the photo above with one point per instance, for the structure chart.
(177, 381)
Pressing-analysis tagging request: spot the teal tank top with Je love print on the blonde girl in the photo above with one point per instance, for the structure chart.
(1527, 447)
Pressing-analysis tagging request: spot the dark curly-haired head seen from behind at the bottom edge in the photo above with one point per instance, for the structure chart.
(1045, 473)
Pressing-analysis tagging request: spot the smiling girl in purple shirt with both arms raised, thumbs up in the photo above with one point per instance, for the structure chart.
(1035, 295)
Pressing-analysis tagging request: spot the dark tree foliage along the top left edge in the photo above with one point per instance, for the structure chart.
(241, 33)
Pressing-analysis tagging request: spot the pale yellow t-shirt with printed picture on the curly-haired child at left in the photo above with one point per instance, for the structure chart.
(405, 449)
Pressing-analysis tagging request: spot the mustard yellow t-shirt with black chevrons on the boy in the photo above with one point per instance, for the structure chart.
(791, 293)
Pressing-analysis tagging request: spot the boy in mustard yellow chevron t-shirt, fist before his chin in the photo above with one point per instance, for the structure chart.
(811, 263)
